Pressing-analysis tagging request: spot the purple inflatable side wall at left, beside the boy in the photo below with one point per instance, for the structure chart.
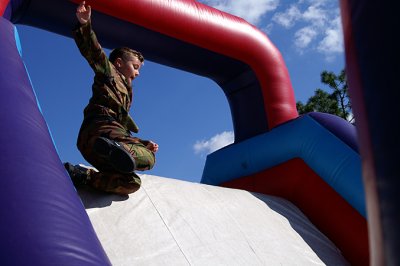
(43, 221)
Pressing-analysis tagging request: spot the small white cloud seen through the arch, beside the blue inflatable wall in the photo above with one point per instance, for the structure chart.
(216, 142)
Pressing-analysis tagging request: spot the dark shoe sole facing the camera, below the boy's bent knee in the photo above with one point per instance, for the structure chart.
(113, 153)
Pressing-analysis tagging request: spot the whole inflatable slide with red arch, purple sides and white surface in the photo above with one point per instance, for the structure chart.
(312, 161)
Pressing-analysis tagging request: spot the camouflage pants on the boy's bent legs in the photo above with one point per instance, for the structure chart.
(108, 179)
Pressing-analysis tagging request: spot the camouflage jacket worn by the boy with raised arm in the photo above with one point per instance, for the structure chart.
(112, 96)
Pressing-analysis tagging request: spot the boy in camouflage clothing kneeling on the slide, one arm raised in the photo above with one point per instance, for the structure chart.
(104, 138)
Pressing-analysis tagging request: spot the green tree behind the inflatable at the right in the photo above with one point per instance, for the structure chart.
(337, 102)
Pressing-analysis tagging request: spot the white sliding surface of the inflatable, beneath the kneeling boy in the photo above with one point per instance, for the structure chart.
(174, 222)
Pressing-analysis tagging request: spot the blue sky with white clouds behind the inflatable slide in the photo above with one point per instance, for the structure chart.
(187, 115)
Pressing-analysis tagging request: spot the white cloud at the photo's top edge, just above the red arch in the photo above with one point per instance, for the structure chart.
(250, 10)
